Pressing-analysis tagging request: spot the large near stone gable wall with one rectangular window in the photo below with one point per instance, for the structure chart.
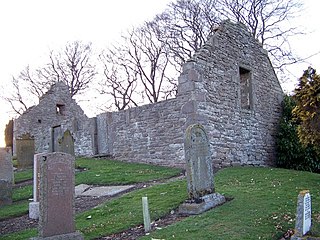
(239, 135)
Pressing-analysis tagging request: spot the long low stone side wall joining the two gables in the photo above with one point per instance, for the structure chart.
(151, 133)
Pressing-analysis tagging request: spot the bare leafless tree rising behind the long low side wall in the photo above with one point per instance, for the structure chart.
(136, 71)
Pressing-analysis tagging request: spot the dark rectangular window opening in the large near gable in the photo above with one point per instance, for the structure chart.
(245, 88)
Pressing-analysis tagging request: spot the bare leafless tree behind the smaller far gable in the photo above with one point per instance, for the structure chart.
(73, 66)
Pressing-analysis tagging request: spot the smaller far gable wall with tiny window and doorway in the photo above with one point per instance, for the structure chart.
(56, 108)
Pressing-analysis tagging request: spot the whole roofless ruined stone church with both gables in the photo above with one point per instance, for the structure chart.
(229, 86)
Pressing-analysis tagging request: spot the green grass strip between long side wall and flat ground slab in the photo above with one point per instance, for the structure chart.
(110, 172)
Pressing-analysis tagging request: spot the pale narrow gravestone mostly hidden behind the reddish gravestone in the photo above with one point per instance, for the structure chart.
(34, 205)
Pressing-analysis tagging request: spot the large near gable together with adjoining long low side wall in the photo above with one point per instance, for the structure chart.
(241, 118)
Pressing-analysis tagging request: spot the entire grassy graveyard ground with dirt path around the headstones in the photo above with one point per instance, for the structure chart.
(261, 203)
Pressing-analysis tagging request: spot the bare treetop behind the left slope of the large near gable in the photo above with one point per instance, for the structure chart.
(184, 27)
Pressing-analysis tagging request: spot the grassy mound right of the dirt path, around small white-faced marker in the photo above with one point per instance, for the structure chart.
(263, 207)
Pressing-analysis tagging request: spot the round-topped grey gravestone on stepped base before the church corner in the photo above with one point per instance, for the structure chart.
(199, 173)
